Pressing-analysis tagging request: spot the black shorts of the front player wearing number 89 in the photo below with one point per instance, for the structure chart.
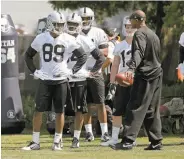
(46, 94)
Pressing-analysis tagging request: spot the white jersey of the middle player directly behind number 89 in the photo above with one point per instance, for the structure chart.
(88, 46)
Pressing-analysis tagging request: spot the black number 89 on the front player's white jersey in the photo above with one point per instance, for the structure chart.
(57, 49)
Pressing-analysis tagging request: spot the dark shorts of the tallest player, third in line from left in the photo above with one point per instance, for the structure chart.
(95, 90)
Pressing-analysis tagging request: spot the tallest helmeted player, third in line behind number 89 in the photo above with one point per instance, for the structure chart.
(95, 86)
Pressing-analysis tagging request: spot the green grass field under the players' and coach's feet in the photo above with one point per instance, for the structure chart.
(11, 149)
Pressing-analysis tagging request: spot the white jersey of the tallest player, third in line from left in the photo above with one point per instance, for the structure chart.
(99, 37)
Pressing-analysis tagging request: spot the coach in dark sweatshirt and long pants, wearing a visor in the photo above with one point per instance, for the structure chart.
(143, 107)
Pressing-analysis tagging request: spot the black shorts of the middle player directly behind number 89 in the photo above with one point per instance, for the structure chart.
(79, 93)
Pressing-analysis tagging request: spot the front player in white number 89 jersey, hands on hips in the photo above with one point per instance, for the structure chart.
(53, 47)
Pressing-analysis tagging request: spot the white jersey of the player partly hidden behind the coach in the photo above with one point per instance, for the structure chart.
(123, 50)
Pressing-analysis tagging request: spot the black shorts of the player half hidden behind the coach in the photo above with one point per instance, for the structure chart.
(121, 99)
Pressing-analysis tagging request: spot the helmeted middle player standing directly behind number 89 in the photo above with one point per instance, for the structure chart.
(78, 83)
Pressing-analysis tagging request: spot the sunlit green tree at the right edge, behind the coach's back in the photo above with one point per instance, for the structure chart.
(171, 31)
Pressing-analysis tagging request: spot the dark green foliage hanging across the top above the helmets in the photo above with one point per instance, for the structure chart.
(153, 10)
